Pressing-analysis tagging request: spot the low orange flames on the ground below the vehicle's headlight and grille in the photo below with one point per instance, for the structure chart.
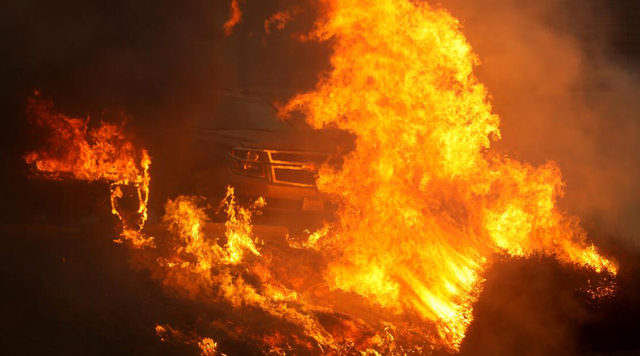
(203, 266)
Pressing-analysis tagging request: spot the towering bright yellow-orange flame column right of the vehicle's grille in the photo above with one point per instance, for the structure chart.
(422, 204)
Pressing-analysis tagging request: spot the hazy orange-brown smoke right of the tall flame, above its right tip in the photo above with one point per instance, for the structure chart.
(565, 92)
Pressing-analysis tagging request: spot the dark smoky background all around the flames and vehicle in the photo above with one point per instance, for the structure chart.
(563, 75)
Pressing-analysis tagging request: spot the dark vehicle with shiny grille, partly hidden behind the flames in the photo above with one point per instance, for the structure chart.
(240, 141)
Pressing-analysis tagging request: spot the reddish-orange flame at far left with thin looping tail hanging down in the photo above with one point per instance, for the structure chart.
(72, 151)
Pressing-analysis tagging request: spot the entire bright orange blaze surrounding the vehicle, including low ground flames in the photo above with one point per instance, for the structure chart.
(424, 205)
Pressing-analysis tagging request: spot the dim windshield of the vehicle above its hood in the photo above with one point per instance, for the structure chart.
(238, 114)
